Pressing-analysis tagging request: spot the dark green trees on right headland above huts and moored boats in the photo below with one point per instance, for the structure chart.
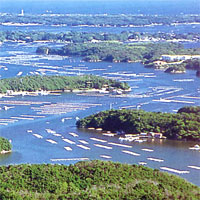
(183, 125)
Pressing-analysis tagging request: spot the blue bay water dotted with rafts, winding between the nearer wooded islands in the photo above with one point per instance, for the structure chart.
(147, 85)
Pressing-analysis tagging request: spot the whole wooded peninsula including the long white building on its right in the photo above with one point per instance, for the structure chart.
(150, 54)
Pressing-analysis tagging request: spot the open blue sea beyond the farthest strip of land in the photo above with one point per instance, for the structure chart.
(100, 7)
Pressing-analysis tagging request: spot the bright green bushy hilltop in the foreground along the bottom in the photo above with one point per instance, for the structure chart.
(92, 180)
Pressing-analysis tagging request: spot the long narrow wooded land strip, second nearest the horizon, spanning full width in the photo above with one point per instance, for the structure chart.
(78, 37)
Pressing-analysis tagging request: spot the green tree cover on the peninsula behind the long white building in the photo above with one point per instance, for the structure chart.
(119, 52)
